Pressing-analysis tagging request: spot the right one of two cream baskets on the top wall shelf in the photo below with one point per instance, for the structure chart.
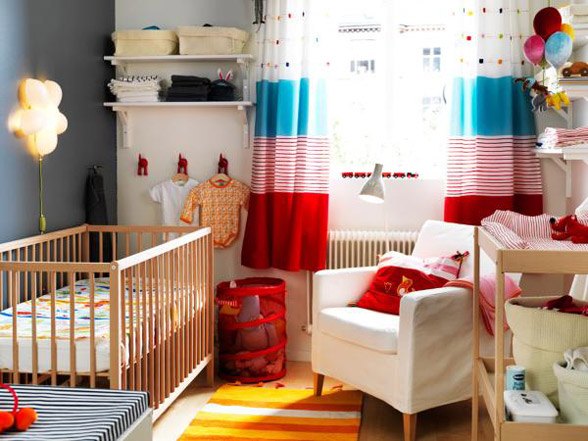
(211, 40)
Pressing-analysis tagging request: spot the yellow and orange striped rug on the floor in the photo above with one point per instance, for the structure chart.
(240, 413)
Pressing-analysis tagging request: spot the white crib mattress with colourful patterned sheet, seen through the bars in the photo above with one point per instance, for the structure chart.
(63, 320)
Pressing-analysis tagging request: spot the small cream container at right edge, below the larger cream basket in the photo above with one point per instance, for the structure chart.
(573, 394)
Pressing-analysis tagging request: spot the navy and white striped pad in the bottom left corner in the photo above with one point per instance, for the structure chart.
(76, 413)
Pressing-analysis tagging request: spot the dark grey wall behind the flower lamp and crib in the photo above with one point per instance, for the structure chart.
(63, 40)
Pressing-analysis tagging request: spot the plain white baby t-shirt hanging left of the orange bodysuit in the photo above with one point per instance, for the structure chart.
(171, 196)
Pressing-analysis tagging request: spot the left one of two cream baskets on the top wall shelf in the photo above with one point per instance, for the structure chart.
(145, 43)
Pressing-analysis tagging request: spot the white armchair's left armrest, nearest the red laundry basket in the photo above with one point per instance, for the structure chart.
(335, 288)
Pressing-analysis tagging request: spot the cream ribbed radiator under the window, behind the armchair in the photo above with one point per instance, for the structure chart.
(353, 248)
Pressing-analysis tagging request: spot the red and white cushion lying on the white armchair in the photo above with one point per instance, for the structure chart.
(399, 275)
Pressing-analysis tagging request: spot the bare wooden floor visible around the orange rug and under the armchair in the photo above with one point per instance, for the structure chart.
(380, 422)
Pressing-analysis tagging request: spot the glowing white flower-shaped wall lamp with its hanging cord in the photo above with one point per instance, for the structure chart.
(39, 121)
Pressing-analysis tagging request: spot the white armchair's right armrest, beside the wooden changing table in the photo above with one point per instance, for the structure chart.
(435, 347)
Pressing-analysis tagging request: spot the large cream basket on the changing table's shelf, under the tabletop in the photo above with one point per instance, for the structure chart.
(540, 337)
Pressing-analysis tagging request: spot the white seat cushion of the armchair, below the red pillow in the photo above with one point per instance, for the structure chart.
(370, 329)
